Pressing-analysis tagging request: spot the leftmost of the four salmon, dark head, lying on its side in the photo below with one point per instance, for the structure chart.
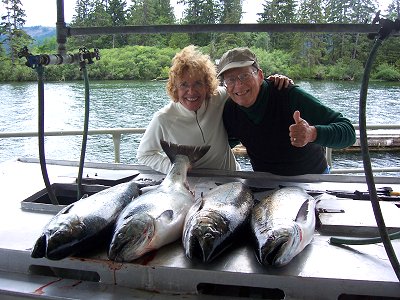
(80, 224)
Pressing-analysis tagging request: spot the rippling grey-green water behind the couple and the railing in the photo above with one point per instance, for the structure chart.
(132, 103)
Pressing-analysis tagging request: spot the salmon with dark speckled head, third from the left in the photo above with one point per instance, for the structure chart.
(215, 219)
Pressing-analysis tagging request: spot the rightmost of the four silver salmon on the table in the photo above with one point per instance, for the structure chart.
(283, 224)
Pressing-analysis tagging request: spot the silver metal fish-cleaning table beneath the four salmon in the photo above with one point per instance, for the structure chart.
(321, 271)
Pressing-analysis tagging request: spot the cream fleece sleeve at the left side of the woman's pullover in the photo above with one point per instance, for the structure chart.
(149, 152)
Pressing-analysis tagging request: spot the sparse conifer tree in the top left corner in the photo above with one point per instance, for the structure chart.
(11, 26)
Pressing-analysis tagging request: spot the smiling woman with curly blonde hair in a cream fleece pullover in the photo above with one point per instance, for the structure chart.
(193, 117)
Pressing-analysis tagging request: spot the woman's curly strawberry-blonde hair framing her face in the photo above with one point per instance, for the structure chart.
(192, 60)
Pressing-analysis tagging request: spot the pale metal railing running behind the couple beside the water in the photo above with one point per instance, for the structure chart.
(116, 134)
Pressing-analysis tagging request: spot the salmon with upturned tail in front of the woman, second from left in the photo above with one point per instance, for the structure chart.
(156, 218)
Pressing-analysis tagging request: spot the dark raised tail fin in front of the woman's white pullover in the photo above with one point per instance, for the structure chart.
(194, 153)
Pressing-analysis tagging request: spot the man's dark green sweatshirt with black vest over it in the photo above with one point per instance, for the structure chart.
(264, 130)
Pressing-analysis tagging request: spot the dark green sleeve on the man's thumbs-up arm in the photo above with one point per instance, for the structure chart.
(333, 129)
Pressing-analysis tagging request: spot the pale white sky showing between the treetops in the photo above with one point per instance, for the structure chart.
(44, 12)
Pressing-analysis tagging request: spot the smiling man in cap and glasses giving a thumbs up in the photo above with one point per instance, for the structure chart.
(284, 131)
